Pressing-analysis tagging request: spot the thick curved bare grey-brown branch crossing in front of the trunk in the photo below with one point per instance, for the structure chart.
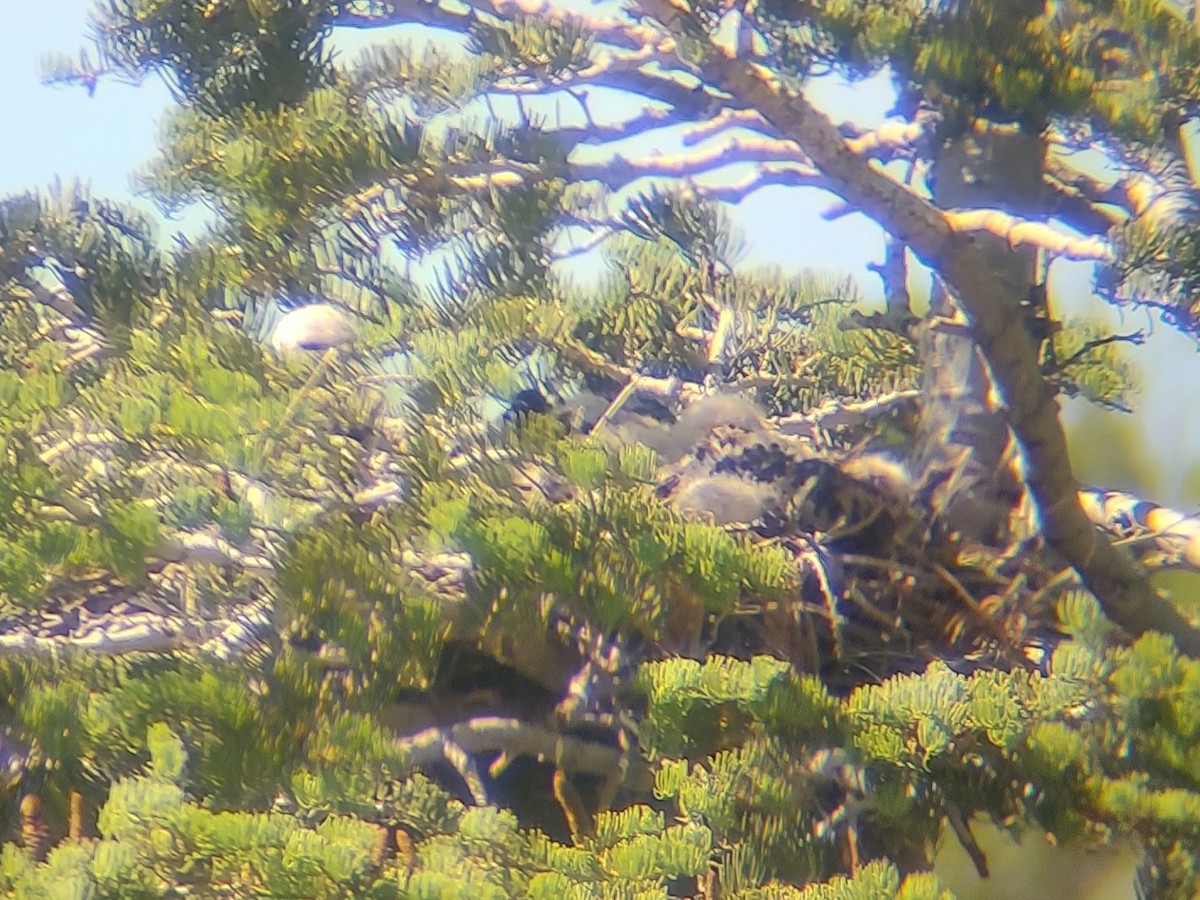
(1119, 584)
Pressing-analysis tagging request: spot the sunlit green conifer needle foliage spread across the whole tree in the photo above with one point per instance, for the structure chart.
(661, 740)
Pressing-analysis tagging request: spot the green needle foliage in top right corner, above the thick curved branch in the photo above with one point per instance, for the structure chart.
(1101, 62)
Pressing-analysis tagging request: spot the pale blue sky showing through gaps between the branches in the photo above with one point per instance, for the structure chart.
(62, 133)
